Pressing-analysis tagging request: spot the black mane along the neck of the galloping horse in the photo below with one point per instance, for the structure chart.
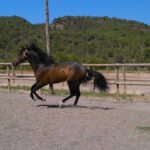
(44, 58)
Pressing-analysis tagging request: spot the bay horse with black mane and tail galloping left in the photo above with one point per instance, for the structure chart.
(46, 72)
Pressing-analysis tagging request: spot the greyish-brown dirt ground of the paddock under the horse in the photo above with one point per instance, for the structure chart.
(95, 124)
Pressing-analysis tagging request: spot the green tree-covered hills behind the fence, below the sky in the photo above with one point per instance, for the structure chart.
(83, 39)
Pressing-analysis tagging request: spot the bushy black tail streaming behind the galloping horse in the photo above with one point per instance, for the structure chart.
(100, 81)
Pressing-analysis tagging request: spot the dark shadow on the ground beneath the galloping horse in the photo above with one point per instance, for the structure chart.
(77, 107)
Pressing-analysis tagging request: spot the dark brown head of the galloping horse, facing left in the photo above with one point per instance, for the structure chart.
(22, 56)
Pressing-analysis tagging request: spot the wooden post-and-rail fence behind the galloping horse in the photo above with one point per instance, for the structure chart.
(119, 71)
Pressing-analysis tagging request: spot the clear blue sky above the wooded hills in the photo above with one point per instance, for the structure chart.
(34, 10)
